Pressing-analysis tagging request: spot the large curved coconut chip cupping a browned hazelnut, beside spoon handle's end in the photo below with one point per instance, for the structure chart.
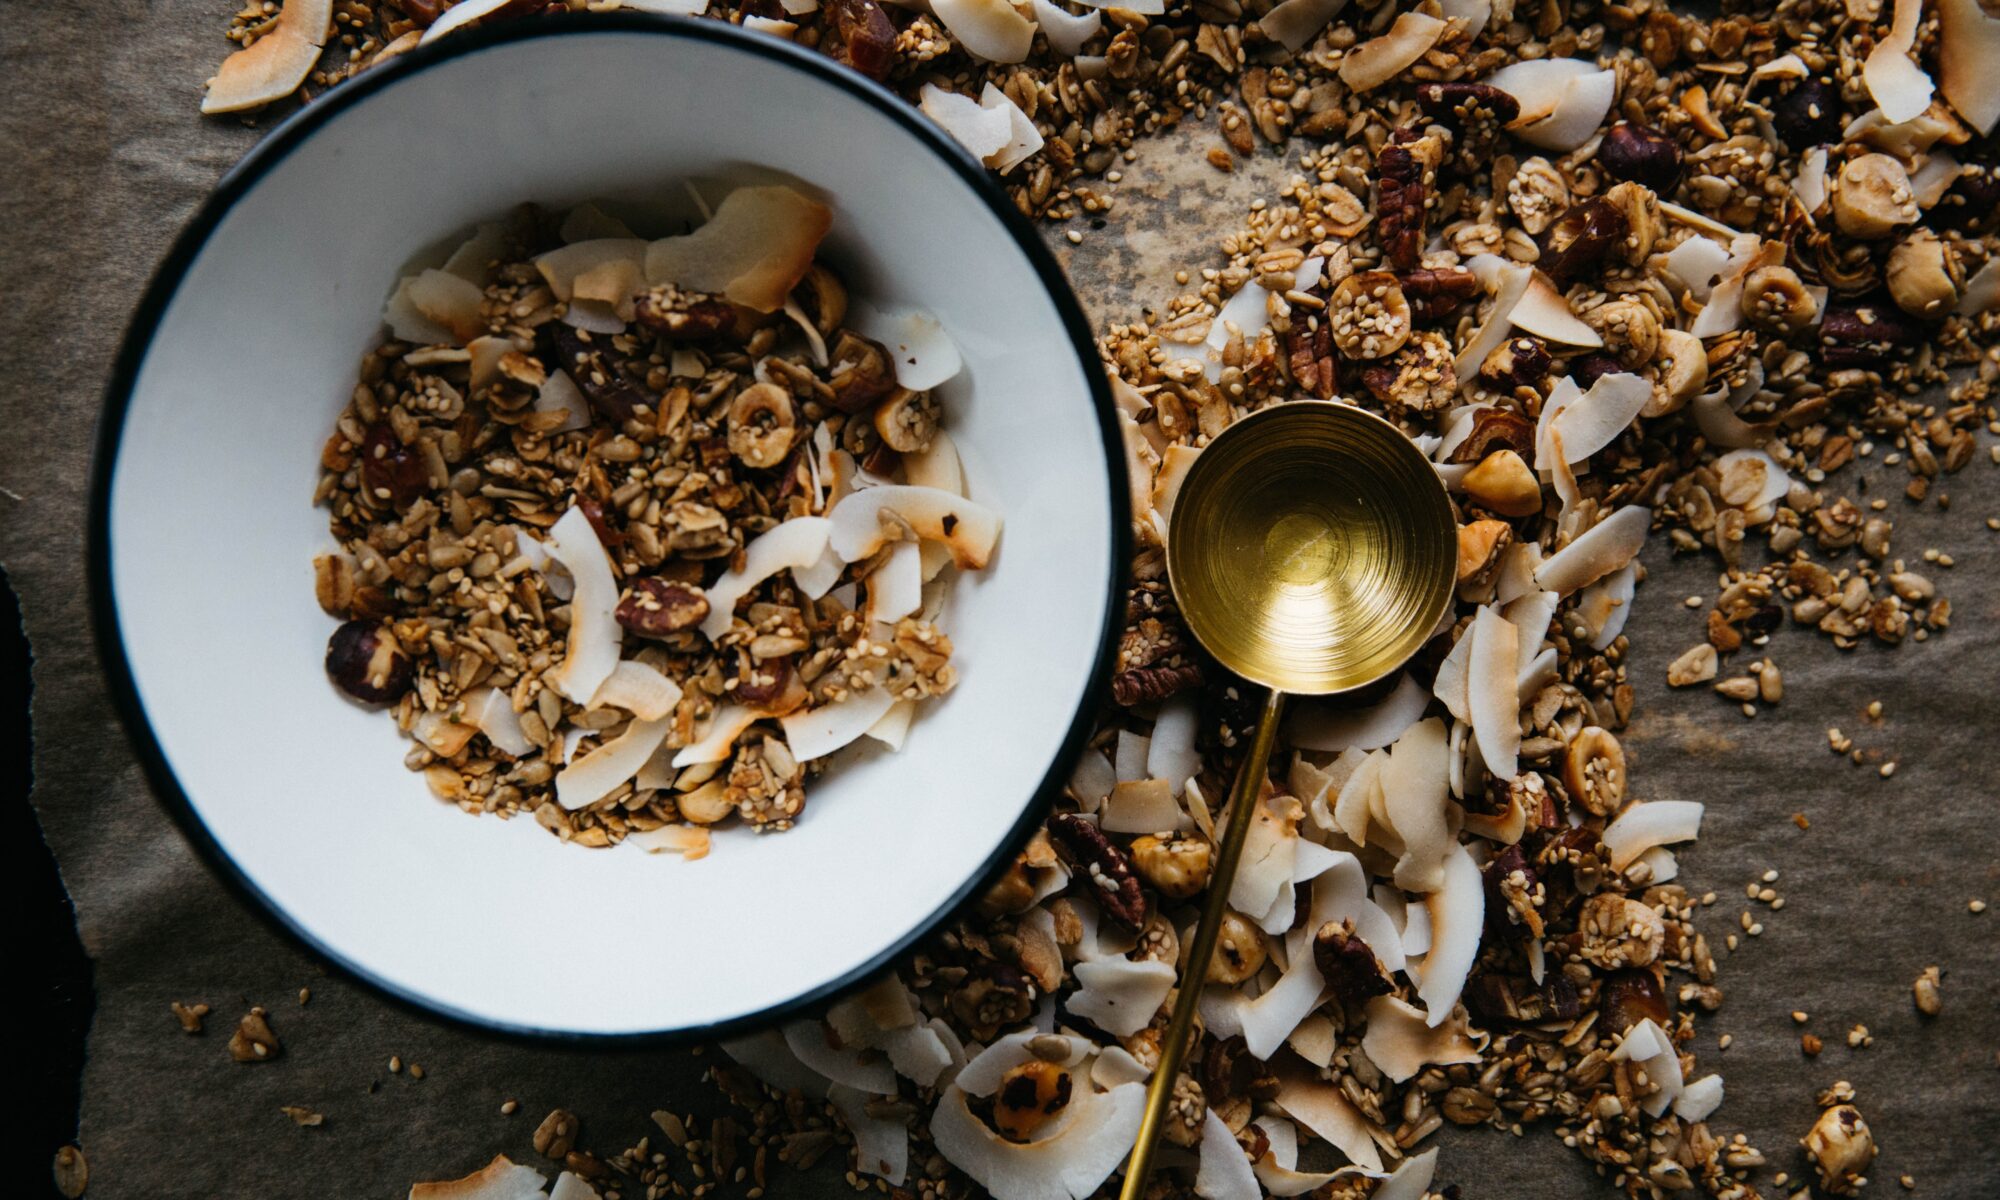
(1065, 1167)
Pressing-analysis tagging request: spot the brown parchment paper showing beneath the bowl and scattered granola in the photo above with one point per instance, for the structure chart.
(105, 159)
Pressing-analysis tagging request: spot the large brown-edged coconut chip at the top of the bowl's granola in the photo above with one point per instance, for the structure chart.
(753, 253)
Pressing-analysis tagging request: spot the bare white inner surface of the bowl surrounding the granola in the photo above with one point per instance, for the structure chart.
(211, 537)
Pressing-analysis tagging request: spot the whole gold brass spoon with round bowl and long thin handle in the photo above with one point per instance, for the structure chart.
(1313, 551)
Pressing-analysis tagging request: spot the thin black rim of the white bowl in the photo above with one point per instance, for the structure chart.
(275, 149)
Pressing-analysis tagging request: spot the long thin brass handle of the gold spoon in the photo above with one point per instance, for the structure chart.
(1175, 1045)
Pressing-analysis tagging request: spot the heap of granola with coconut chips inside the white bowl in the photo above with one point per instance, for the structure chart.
(637, 533)
